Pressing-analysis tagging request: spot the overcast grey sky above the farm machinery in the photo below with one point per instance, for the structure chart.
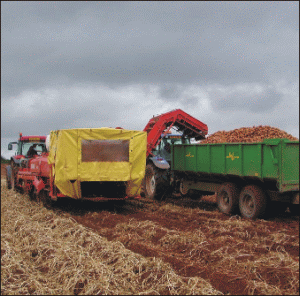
(107, 64)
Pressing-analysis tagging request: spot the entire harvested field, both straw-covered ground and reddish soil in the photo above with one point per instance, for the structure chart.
(143, 247)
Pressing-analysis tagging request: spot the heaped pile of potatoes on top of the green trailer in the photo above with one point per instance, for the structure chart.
(248, 135)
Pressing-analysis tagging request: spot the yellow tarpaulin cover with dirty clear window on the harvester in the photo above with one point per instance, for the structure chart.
(97, 154)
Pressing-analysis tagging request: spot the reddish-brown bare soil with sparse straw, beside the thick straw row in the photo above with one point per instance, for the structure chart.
(236, 256)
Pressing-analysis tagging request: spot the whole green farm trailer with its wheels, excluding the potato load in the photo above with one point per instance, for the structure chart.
(247, 177)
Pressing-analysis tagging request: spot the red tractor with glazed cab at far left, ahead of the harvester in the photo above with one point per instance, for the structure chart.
(27, 147)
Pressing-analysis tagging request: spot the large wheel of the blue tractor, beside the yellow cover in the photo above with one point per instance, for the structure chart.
(155, 182)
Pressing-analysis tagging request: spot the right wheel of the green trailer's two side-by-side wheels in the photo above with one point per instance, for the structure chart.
(252, 202)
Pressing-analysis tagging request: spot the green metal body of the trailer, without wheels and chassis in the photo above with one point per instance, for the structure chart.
(276, 159)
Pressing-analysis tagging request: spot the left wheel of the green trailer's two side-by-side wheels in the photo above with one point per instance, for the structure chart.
(228, 198)
